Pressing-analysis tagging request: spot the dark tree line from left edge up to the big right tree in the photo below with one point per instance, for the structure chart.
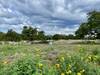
(30, 34)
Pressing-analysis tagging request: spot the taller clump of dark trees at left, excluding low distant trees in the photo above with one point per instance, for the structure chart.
(28, 33)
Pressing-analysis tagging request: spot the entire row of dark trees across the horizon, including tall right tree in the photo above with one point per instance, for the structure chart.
(89, 30)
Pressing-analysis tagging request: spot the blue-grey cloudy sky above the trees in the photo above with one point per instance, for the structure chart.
(52, 16)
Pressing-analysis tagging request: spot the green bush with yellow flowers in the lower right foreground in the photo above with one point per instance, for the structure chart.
(75, 65)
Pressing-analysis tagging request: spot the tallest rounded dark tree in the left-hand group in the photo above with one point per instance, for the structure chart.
(29, 33)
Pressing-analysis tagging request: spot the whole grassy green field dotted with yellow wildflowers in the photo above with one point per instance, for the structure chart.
(44, 59)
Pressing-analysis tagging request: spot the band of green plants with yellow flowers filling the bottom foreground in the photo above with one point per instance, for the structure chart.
(65, 65)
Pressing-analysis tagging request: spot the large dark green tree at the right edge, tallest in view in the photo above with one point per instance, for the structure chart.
(91, 27)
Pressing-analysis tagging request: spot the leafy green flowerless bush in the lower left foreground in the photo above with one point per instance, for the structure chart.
(22, 67)
